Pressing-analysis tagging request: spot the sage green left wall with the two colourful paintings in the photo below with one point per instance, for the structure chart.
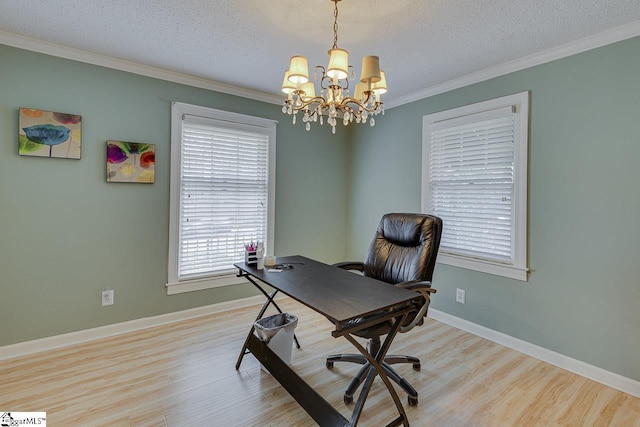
(65, 234)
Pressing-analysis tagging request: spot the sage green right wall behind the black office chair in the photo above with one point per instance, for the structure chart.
(583, 292)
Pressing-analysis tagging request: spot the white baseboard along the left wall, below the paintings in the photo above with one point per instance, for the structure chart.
(72, 338)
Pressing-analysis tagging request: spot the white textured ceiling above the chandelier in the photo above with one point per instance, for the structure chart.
(248, 43)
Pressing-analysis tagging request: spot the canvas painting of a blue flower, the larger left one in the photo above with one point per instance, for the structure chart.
(49, 134)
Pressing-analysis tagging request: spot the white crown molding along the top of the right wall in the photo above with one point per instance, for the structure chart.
(613, 35)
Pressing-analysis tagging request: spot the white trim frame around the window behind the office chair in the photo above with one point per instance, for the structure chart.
(520, 102)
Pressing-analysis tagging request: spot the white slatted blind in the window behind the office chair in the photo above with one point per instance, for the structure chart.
(471, 179)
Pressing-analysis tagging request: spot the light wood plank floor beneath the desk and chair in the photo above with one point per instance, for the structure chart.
(183, 375)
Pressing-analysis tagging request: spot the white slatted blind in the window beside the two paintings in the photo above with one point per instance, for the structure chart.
(223, 197)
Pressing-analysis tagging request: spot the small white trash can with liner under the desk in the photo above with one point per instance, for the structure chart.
(277, 332)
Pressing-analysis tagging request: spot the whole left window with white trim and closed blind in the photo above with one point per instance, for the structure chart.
(222, 194)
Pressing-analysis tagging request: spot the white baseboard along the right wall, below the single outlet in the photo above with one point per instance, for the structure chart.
(602, 376)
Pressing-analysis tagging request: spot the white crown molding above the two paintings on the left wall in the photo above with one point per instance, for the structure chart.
(27, 43)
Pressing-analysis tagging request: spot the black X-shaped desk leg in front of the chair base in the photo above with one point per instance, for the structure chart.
(376, 363)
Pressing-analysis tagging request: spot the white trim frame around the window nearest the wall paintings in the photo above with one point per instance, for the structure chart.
(178, 110)
